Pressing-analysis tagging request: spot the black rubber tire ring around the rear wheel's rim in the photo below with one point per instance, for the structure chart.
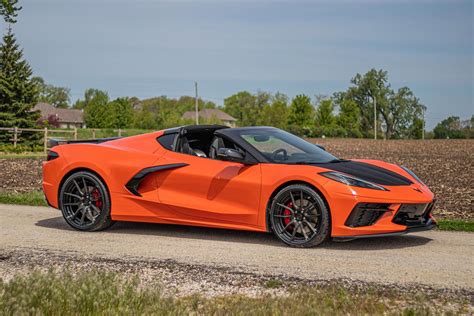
(104, 216)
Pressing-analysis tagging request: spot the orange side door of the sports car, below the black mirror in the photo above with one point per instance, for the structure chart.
(210, 190)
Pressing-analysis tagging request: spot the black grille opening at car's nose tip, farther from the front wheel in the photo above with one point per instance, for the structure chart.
(413, 215)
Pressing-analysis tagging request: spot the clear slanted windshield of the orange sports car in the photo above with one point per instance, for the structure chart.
(281, 147)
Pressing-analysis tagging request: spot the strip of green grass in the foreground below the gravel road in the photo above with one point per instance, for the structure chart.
(100, 293)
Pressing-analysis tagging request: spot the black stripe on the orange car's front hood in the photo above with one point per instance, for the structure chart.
(367, 172)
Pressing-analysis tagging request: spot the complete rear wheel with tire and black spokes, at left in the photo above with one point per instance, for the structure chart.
(85, 202)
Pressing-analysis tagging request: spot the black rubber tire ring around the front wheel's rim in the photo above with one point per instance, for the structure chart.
(324, 230)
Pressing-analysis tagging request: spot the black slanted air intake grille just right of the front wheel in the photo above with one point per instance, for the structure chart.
(366, 214)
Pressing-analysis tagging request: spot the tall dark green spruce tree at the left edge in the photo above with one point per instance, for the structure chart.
(18, 93)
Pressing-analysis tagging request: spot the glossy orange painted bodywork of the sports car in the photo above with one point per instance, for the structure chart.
(213, 193)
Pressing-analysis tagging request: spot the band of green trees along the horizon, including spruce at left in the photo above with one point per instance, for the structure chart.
(350, 113)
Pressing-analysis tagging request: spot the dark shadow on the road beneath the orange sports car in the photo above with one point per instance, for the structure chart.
(190, 232)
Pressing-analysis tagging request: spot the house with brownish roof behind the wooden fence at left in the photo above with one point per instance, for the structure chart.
(67, 118)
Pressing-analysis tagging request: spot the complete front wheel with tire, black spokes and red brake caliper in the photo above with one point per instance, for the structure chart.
(299, 216)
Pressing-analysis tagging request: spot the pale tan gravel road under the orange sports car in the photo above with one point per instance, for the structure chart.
(443, 260)
